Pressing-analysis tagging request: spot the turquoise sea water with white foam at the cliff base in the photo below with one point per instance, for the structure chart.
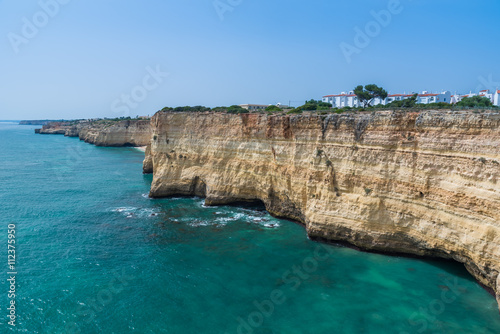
(95, 255)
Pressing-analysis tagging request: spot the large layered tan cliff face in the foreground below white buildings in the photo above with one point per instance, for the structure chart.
(424, 184)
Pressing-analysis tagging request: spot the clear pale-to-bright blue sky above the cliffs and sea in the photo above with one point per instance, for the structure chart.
(76, 59)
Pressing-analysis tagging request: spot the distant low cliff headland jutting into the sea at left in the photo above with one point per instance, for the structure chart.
(110, 133)
